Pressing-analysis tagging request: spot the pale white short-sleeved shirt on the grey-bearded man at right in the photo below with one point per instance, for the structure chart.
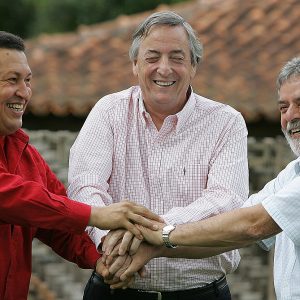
(281, 198)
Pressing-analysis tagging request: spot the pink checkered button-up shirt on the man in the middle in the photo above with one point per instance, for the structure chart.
(194, 167)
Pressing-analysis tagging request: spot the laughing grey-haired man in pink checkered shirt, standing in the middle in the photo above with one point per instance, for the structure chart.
(162, 145)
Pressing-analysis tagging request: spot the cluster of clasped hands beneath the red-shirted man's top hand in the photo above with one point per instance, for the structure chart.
(124, 255)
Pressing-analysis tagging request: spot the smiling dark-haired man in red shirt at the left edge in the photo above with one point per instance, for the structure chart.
(33, 202)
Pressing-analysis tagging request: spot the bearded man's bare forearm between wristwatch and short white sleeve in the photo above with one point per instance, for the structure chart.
(234, 229)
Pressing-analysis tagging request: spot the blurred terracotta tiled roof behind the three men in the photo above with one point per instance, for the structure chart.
(245, 45)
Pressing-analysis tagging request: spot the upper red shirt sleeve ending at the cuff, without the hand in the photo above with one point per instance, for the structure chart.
(29, 203)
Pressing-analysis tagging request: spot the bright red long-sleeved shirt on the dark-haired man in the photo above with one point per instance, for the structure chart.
(33, 203)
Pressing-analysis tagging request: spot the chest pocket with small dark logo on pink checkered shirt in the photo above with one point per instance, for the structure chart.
(185, 183)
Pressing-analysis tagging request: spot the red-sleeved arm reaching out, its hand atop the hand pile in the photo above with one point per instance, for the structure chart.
(51, 209)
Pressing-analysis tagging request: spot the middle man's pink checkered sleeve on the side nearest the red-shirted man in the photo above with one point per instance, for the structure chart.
(90, 165)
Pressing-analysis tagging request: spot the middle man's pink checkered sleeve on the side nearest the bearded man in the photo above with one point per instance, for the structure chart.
(227, 184)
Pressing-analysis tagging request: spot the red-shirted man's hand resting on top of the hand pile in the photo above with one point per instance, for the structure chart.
(123, 215)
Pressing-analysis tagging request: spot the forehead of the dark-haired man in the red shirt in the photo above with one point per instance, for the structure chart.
(13, 61)
